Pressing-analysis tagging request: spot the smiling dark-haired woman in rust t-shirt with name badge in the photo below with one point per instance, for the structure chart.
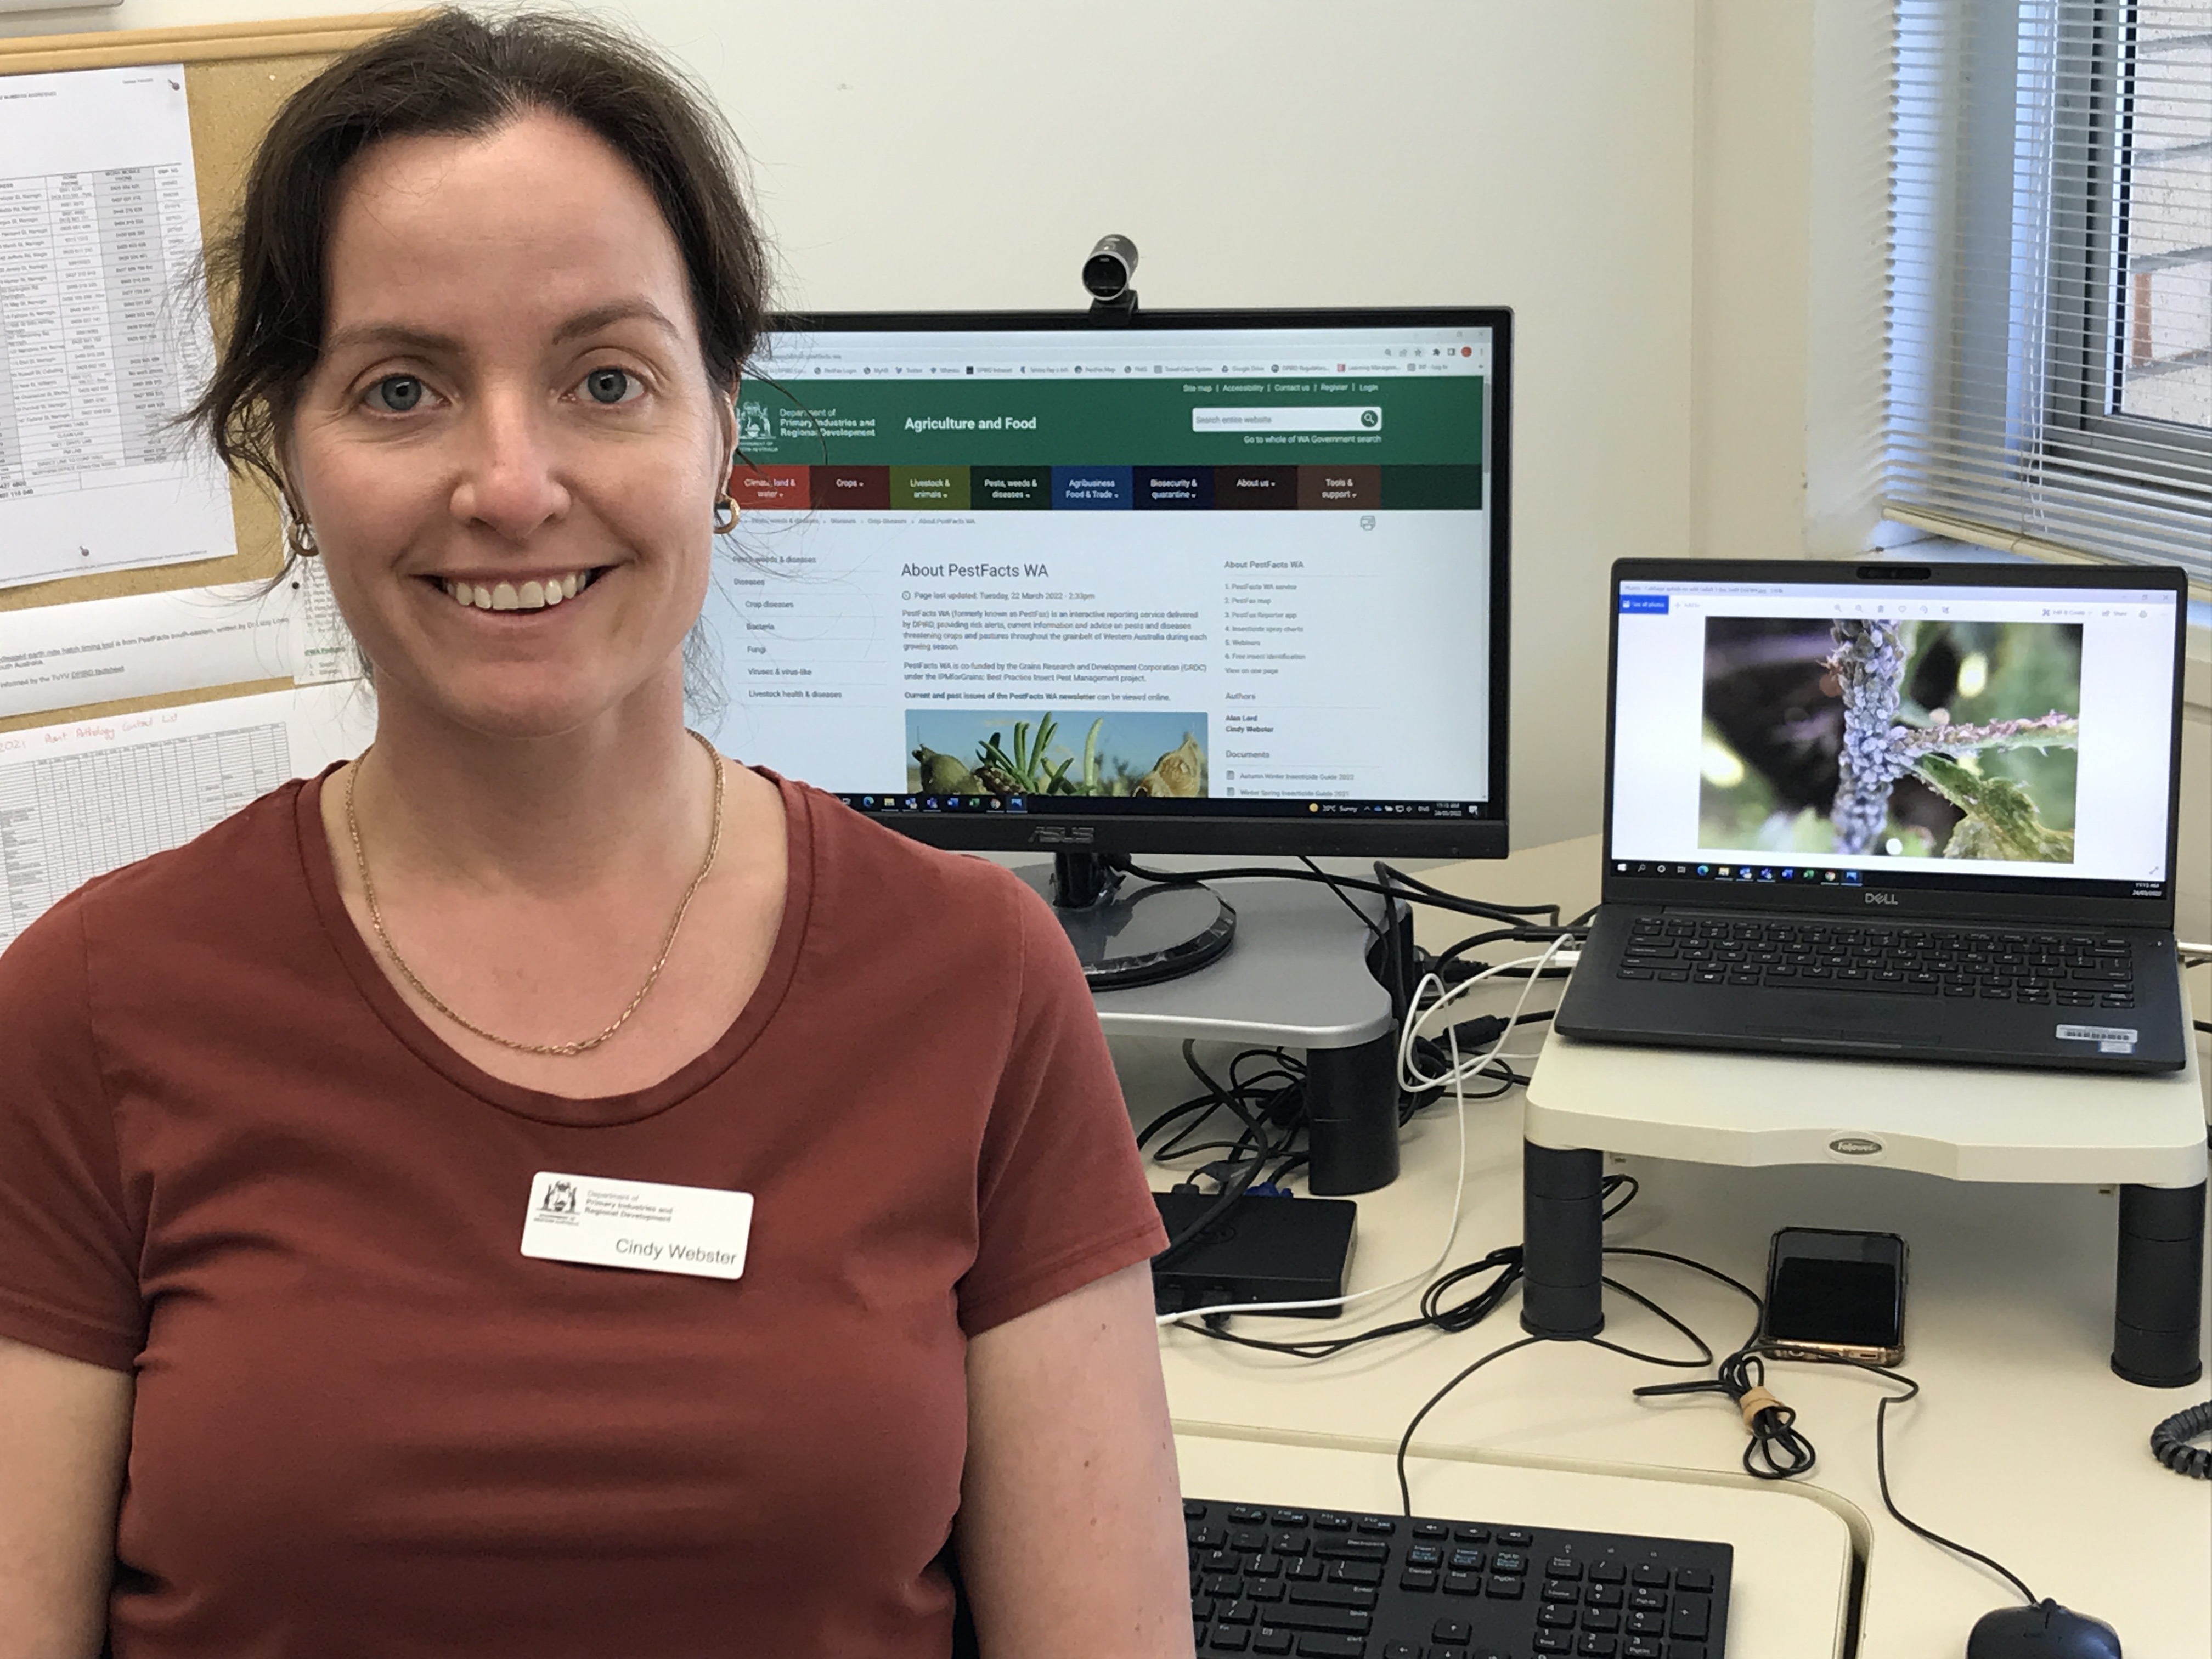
(273, 1107)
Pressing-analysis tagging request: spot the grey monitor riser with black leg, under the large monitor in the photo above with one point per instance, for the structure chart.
(1297, 979)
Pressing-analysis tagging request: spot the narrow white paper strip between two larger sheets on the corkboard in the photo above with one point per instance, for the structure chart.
(149, 645)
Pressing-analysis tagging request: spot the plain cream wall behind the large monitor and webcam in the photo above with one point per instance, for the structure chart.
(1266, 154)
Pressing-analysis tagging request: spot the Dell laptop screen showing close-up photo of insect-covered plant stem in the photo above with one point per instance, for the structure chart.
(2007, 735)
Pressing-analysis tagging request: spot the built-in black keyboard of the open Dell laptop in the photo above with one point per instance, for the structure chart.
(2067, 970)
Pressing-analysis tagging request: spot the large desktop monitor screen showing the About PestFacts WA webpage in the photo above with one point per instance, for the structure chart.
(1209, 583)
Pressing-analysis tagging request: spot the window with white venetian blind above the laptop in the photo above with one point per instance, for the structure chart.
(2052, 278)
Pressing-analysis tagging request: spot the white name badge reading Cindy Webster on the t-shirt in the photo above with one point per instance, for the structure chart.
(638, 1224)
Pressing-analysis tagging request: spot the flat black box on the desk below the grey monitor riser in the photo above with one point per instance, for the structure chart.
(1258, 1251)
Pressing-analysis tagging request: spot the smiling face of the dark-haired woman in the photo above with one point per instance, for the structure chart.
(510, 450)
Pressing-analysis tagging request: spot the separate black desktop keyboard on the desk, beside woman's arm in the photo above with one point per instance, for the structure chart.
(1328, 1585)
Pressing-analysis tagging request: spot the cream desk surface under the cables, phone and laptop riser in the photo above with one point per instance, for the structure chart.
(2023, 1441)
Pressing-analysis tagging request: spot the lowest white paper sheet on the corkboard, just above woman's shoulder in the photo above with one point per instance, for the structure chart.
(90, 797)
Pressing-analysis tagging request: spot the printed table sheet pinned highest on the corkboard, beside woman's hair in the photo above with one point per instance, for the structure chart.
(101, 342)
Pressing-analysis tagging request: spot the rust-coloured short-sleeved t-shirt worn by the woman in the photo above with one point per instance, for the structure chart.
(233, 1160)
